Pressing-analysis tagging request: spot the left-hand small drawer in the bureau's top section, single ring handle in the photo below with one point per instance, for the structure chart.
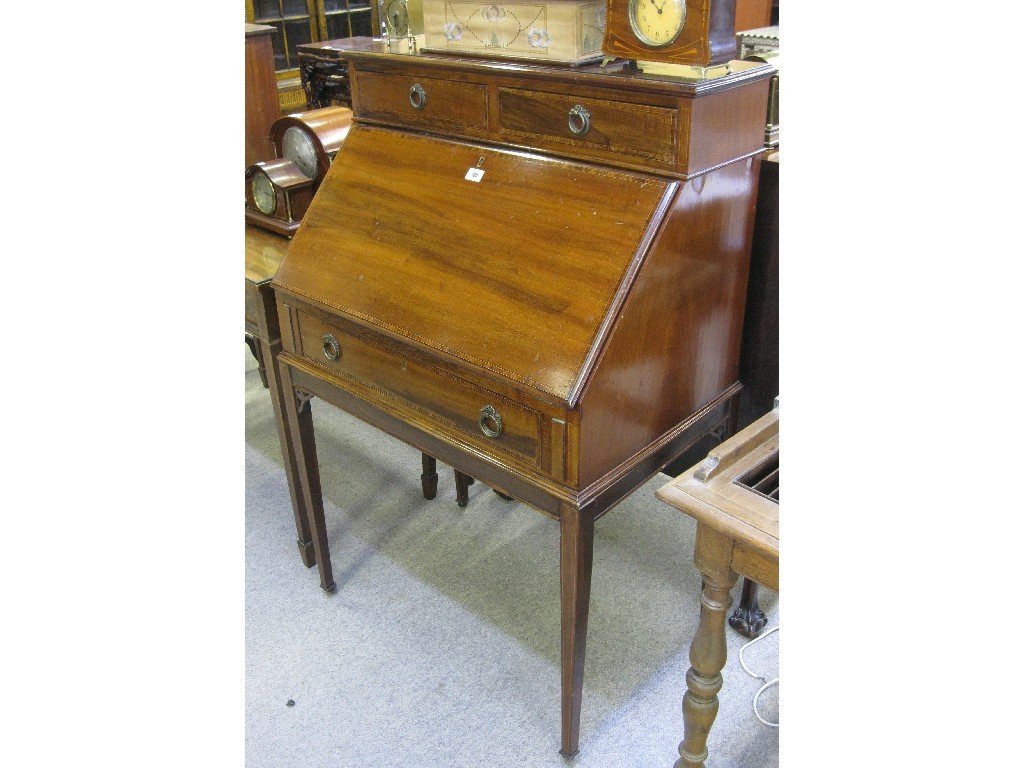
(419, 102)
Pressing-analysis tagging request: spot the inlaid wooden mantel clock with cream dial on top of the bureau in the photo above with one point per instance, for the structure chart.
(691, 33)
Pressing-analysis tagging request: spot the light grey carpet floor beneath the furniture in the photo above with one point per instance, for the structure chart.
(441, 648)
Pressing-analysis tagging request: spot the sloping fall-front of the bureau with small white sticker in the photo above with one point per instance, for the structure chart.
(521, 274)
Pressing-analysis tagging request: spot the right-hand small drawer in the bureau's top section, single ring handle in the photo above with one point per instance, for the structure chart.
(641, 132)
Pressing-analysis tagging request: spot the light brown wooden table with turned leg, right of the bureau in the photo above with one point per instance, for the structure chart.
(734, 496)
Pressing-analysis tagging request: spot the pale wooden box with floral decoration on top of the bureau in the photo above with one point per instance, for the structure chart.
(554, 31)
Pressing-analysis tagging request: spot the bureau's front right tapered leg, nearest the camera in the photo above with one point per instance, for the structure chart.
(576, 569)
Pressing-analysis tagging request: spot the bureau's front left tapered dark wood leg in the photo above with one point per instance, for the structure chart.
(301, 424)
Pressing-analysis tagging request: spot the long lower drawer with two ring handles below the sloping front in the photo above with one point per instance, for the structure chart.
(396, 376)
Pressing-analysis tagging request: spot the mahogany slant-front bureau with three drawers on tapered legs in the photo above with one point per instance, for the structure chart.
(535, 274)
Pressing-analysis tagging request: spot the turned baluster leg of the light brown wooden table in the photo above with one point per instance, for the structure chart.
(708, 653)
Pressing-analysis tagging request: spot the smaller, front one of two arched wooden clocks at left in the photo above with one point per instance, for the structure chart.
(278, 195)
